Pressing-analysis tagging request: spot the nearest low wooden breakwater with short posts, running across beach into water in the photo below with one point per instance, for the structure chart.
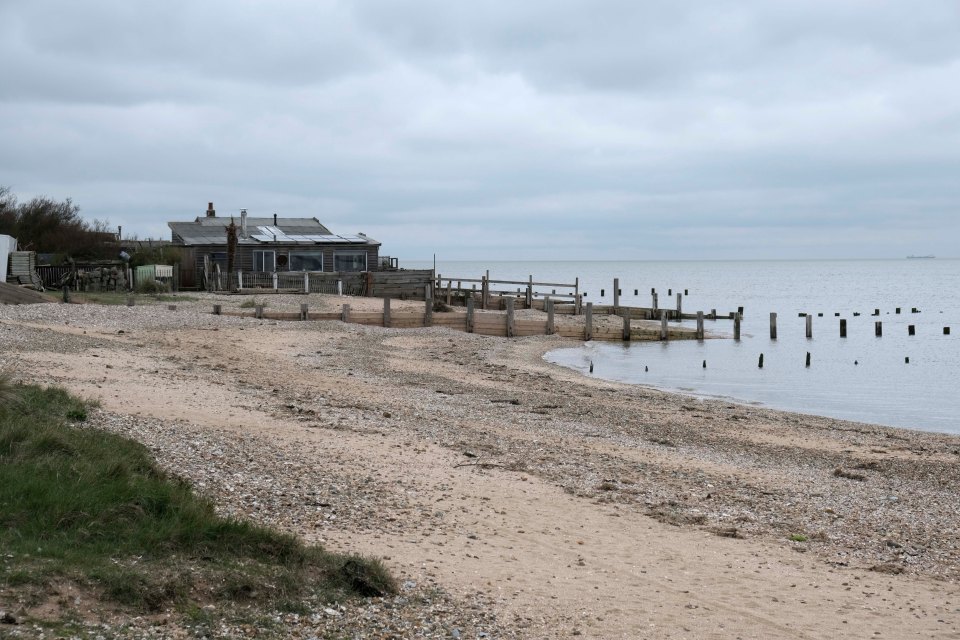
(482, 322)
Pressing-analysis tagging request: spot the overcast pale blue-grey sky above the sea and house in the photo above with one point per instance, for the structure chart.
(617, 129)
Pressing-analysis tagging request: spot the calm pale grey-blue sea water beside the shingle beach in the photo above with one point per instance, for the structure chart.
(860, 377)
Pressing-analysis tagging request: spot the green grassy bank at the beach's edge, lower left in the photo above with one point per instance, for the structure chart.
(83, 506)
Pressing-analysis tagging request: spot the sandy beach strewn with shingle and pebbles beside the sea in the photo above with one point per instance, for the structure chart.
(512, 497)
